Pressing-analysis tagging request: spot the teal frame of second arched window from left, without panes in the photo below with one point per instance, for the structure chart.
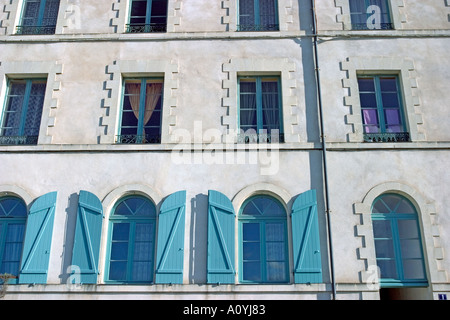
(132, 220)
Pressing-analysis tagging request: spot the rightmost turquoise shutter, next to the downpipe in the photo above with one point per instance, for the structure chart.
(305, 237)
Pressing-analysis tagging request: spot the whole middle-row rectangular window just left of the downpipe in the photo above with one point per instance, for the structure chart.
(260, 111)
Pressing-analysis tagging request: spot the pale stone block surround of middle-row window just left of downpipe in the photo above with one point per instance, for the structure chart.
(244, 66)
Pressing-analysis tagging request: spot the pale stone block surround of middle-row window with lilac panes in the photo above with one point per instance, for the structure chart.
(404, 69)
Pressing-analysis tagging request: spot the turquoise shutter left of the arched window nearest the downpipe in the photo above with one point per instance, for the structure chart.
(221, 226)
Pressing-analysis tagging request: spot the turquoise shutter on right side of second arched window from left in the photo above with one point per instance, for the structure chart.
(170, 256)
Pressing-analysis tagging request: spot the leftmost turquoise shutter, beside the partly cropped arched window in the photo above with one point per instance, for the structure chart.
(38, 240)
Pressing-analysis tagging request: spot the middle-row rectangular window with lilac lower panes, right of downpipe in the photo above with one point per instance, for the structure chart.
(382, 110)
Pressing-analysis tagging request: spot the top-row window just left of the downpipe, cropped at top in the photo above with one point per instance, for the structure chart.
(258, 15)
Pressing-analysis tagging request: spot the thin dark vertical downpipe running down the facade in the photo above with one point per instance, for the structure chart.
(324, 146)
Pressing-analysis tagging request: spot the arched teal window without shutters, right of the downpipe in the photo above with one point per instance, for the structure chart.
(398, 244)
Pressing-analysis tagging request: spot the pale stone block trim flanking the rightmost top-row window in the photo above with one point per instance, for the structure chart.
(396, 8)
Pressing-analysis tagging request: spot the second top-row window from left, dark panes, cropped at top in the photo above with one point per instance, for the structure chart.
(147, 16)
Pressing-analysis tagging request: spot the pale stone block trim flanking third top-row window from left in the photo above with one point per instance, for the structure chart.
(285, 14)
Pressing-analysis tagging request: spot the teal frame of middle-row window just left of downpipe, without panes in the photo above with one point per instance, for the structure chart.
(242, 136)
